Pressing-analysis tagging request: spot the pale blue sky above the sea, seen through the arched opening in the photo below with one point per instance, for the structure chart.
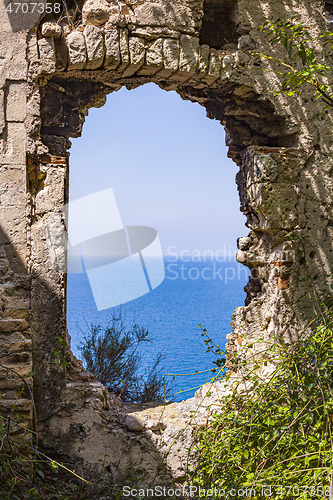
(167, 165)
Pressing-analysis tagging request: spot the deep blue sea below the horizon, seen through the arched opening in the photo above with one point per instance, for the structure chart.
(192, 293)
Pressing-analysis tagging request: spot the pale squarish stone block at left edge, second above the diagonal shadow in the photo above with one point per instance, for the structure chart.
(12, 186)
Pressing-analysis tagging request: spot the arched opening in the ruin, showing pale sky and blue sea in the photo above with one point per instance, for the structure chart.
(168, 168)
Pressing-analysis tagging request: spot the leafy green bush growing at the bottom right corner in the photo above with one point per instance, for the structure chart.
(277, 435)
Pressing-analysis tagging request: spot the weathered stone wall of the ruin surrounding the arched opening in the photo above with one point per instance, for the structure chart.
(50, 75)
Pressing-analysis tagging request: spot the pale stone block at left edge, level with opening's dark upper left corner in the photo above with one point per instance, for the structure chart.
(13, 151)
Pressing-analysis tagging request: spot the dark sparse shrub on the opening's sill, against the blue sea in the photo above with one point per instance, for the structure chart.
(114, 355)
